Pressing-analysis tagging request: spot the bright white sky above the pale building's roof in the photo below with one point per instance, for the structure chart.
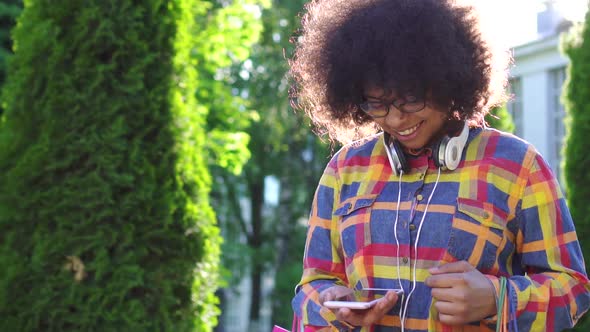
(514, 21)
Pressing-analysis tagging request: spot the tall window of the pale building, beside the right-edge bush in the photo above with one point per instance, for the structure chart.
(556, 117)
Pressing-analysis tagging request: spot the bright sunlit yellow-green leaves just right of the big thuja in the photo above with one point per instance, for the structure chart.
(225, 41)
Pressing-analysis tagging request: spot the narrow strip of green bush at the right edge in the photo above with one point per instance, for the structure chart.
(576, 95)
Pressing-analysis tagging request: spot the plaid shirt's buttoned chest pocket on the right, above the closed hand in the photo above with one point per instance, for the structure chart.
(477, 235)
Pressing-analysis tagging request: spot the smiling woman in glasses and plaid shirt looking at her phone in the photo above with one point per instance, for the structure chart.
(469, 222)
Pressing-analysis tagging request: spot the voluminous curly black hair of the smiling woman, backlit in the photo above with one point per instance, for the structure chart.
(423, 47)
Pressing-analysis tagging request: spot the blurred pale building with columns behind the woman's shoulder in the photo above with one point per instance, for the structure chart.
(536, 83)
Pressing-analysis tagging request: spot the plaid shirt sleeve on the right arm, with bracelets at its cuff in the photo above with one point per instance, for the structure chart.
(554, 292)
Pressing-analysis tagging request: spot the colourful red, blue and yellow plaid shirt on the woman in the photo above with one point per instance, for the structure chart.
(501, 210)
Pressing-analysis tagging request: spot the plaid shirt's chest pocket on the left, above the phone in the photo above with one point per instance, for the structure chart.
(354, 226)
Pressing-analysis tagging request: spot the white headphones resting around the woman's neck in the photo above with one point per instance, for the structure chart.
(446, 153)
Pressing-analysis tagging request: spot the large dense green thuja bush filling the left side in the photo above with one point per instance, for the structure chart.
(104, 218)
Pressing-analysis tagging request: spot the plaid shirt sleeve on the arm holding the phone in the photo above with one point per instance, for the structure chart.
(323, 264)
